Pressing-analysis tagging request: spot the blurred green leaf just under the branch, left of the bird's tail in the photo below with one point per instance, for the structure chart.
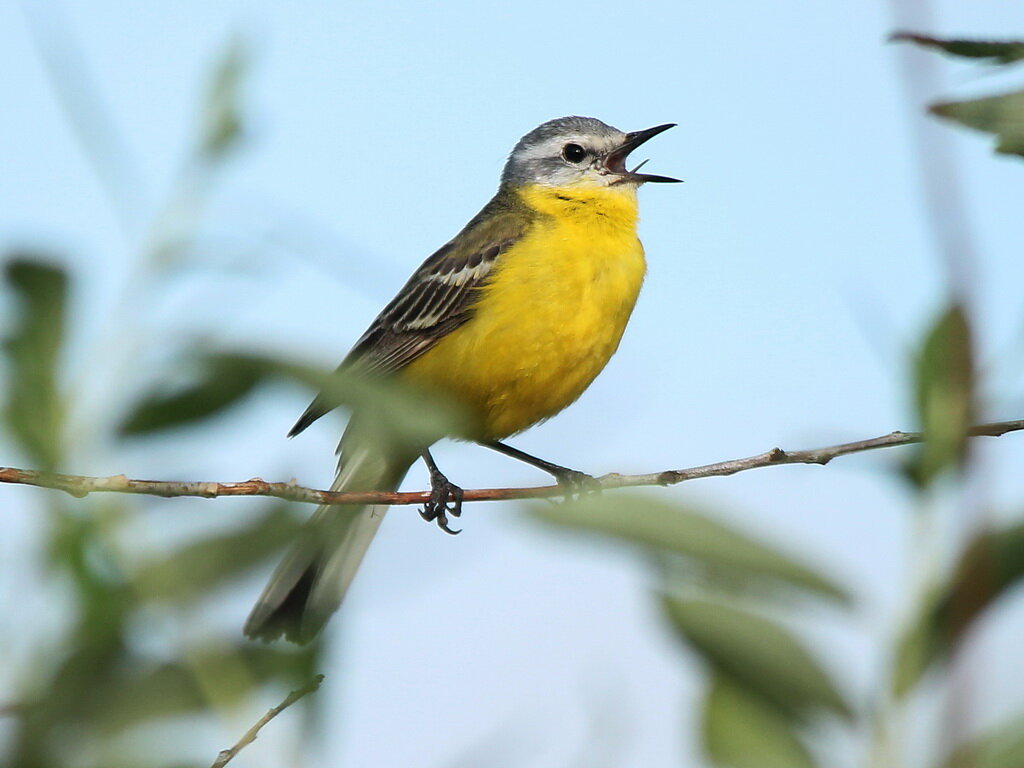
(198, 569)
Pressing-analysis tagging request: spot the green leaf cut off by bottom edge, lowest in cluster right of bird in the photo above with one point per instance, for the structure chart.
(743, 732)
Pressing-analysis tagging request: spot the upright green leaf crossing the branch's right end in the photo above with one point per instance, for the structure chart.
(945, 396)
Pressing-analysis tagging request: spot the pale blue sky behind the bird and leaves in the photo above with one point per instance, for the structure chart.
(789, 276)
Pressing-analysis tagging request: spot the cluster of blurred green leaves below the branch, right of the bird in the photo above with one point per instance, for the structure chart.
(719, 590)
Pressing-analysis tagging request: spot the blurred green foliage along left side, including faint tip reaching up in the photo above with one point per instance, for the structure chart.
(103, 676)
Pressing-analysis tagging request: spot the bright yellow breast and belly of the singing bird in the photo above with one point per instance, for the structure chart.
(550, 318)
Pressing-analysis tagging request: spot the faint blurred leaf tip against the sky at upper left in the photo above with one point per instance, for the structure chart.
(222, 117)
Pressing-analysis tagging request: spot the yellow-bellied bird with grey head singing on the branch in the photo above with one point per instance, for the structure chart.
(510, 321)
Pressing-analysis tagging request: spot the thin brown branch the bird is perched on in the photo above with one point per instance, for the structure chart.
(80, 486)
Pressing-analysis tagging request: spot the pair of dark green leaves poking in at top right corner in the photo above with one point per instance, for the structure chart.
(1002, 115)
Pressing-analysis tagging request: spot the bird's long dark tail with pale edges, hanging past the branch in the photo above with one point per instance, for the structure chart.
(311, 582)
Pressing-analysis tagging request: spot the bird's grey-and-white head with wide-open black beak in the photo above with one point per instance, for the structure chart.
(579, 152)
